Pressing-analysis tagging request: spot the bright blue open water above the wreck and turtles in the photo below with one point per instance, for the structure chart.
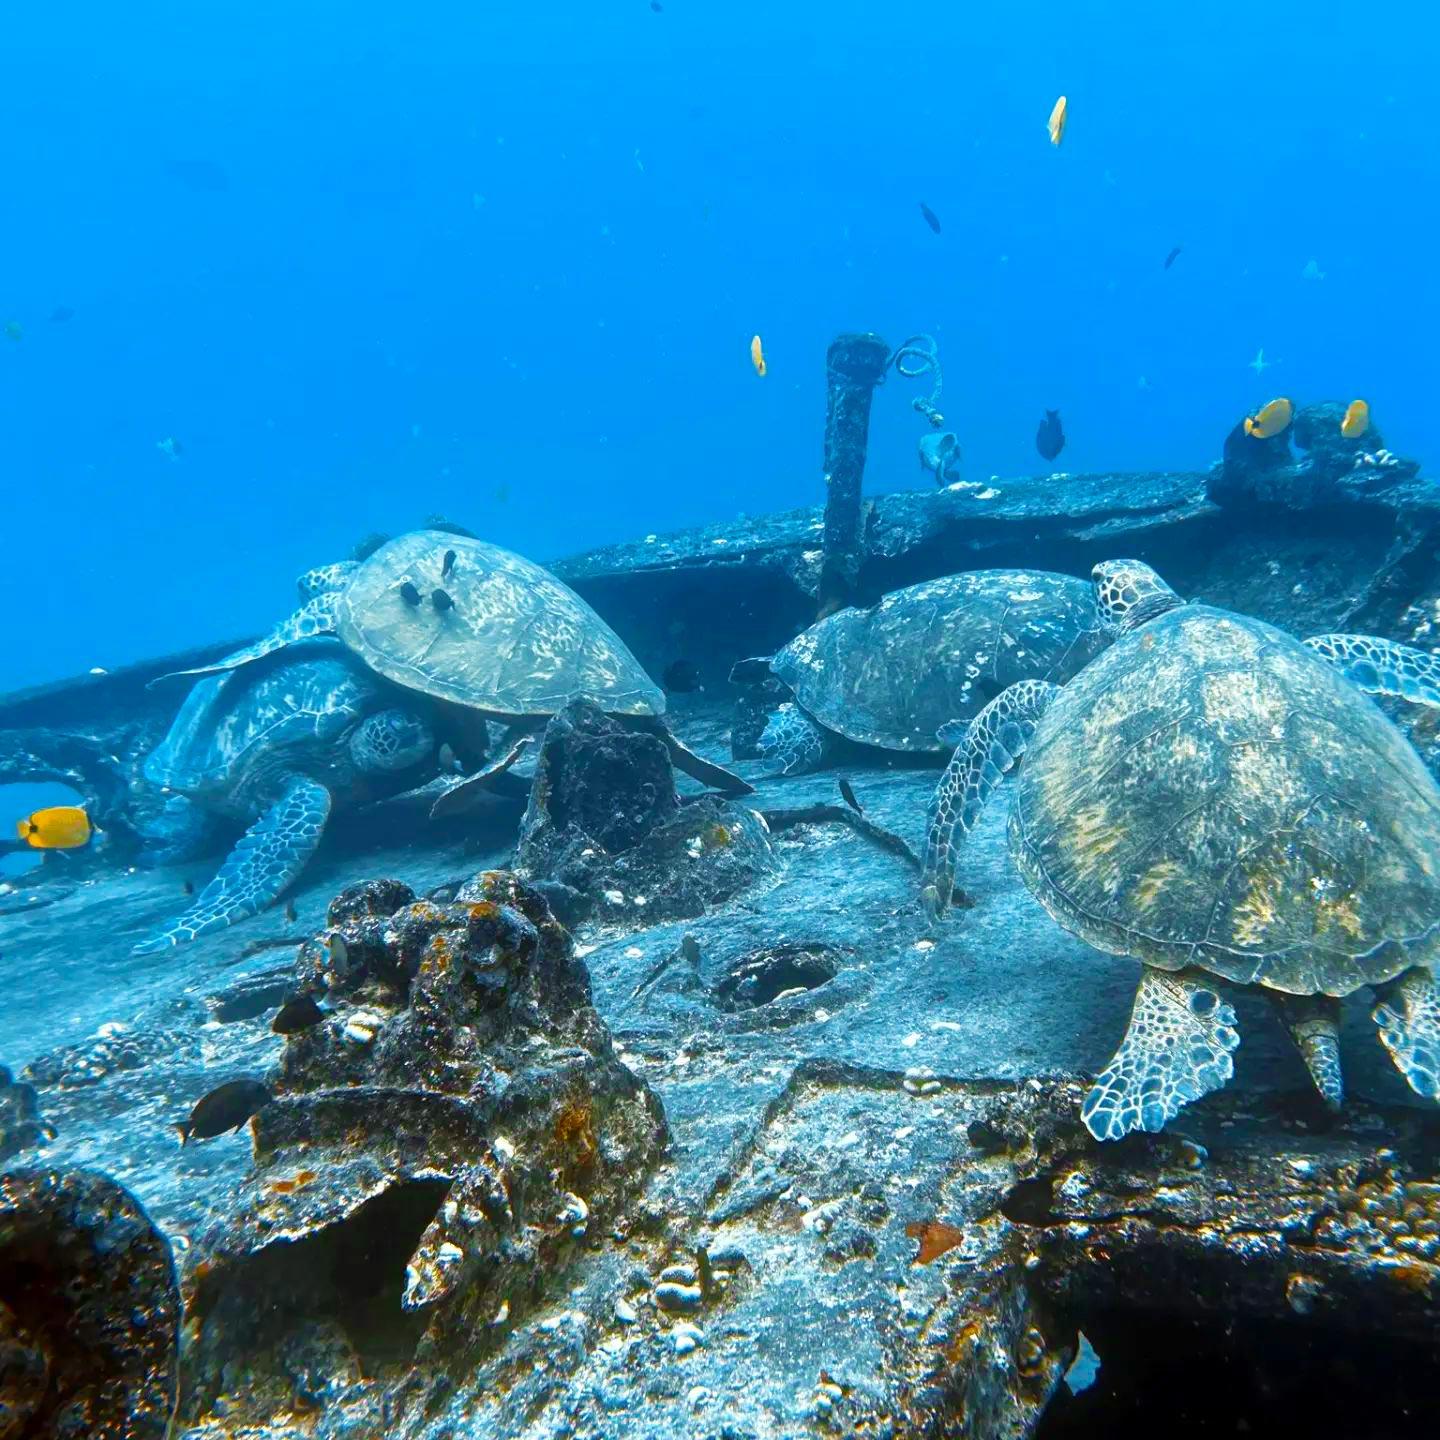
(365, 263)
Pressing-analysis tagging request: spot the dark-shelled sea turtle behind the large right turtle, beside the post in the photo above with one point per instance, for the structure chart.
(894, 675)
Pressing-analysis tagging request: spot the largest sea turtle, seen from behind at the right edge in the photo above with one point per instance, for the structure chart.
(1215, 798)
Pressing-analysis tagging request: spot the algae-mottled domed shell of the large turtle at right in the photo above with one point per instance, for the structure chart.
(1210, 793)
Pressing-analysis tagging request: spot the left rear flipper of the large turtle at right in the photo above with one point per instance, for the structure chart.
(1176, 1050)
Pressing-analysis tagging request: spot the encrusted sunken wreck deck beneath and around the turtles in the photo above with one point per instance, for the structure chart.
(788, 1163)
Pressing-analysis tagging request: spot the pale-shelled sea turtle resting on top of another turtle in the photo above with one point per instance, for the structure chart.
(472, 624)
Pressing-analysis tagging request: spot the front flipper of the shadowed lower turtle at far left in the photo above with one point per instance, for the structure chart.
(266, 860)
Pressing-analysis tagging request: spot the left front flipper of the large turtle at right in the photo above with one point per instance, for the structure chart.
(990, 747)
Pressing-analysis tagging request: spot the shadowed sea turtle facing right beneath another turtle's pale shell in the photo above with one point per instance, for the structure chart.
(279, 745)
